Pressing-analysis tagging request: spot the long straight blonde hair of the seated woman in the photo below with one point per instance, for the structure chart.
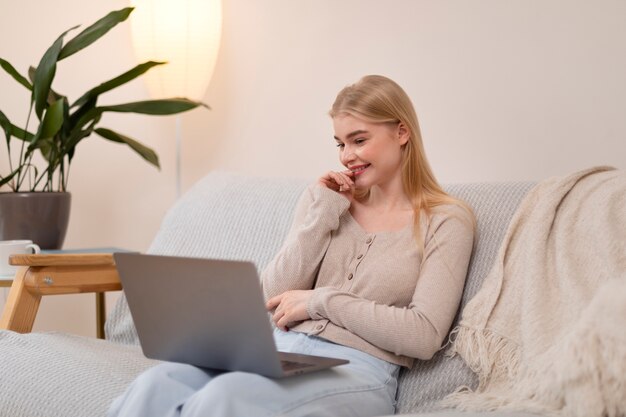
(377, 99)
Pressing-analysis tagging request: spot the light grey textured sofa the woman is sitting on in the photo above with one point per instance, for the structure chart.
(224, 216)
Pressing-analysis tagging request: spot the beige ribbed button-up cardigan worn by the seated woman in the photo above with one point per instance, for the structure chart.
(373, 291)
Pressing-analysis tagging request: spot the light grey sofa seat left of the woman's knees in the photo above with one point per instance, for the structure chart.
(60, 375)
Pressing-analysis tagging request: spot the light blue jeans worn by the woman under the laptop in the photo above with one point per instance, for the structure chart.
(364, 387)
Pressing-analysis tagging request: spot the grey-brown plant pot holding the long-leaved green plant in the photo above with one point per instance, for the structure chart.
(41, 217)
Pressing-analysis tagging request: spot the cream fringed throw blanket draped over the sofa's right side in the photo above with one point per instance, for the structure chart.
(546, 333)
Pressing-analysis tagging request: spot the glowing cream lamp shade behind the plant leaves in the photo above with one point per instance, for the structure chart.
(186, 34)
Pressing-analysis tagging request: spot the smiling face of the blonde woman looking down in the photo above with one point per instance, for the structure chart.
(372, 151)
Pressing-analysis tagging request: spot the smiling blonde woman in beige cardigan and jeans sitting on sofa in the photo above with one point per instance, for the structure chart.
(372, 271)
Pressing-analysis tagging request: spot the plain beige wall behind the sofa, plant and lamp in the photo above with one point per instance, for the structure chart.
(505, 90)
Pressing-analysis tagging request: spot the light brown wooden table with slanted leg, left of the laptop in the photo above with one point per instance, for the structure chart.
(51, 274)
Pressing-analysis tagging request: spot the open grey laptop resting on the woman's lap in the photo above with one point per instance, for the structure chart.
(208, 313)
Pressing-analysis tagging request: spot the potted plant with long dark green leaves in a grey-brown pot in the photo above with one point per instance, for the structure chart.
(37, 205)
